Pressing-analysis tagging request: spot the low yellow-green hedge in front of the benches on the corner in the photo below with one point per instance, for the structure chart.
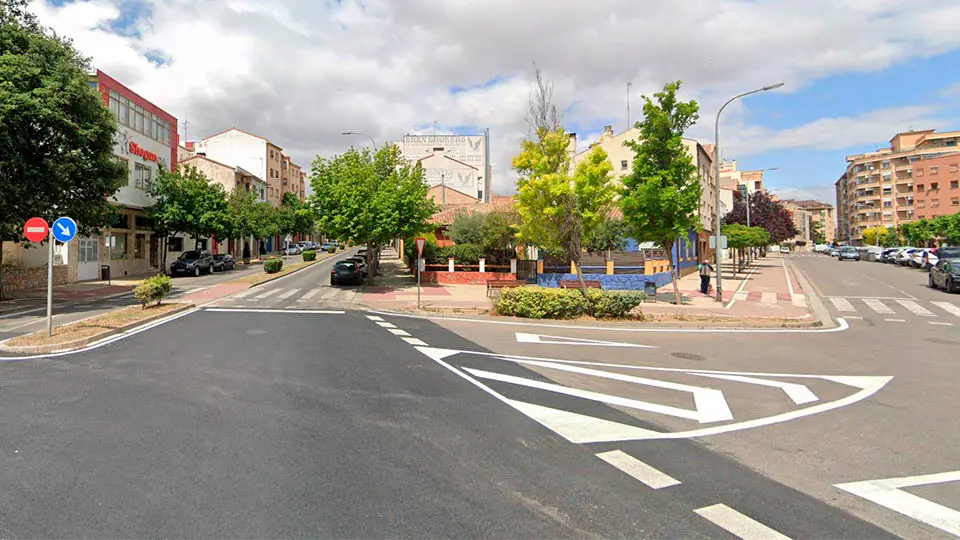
(548, 303)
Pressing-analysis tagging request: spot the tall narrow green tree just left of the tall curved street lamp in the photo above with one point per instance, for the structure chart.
(661, 198)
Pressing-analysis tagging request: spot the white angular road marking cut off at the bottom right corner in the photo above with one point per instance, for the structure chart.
(888, 492)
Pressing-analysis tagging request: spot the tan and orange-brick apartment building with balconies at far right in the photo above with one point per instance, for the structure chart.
(877, 188)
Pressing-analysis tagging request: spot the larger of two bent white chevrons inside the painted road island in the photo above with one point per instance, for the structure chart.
(710, 406)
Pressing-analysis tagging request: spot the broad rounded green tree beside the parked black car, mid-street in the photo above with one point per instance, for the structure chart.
(370, 197)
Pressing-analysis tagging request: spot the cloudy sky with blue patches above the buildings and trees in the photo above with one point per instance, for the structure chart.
(300, 72)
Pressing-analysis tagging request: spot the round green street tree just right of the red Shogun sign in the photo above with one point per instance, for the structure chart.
(187, 203)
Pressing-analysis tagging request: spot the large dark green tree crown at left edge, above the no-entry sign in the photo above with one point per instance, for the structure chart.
(56, 136)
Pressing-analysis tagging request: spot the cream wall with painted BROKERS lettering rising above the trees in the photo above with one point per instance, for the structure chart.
(460, 162)
